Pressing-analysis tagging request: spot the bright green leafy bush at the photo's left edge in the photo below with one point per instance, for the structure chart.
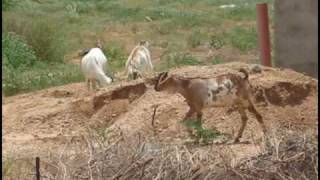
(16, 52)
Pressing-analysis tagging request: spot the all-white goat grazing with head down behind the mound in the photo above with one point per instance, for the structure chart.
(93, 65)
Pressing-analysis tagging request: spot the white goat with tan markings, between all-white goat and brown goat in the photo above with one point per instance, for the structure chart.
(138, 61)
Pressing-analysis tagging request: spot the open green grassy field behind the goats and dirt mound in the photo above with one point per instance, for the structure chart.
(54, 30)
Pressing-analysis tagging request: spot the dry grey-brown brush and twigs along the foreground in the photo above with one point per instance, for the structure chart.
(289, 156)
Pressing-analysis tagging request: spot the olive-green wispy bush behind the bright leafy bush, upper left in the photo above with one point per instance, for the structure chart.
(44, 34)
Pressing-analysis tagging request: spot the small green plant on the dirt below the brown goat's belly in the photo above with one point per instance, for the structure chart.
(202, 135)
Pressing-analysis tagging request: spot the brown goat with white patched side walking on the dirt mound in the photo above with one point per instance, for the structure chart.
(228, 90)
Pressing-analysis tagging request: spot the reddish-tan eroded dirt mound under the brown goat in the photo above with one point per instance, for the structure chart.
(48, 119)
